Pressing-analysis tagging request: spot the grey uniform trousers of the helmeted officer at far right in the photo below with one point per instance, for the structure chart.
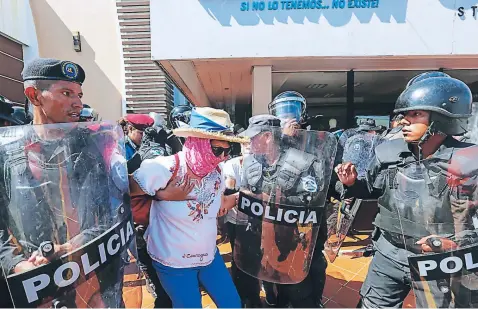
(388, 280)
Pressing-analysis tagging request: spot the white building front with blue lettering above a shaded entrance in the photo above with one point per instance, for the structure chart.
(347, 57)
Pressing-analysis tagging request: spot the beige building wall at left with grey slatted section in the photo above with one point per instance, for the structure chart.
(115, 51)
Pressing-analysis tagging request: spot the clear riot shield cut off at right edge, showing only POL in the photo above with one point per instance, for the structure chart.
(432, 214)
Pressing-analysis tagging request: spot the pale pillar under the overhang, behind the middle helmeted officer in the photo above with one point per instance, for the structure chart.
(261, 89)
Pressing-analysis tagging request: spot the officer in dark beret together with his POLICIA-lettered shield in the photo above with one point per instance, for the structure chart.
(57, 195)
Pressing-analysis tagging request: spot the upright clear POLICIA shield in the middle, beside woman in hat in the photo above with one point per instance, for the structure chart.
(283, 193)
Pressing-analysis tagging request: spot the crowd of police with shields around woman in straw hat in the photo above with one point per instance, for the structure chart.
(163, 185)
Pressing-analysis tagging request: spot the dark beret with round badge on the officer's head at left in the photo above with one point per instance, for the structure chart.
(52, 69)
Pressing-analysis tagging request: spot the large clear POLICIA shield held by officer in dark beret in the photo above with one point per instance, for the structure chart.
(66, 223)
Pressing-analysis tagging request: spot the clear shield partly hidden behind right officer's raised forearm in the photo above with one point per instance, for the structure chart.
(358, 148)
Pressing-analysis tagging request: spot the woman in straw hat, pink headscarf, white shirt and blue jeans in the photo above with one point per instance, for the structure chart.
(181, 237)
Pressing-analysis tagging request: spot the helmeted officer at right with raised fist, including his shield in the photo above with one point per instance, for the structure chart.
(425, 219)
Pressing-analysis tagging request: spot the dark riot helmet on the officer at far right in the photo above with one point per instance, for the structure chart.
(447, 99)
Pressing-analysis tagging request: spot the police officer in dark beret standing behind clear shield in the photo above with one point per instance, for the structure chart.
(57, 194)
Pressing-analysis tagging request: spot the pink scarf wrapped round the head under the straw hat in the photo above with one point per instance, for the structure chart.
(199, 156)
